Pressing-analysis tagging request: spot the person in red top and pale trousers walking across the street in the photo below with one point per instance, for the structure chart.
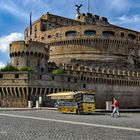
(116, 108)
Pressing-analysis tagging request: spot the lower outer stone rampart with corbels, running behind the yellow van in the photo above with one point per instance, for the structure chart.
(106, 82)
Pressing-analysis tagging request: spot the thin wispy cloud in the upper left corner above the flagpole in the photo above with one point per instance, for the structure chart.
(21, 9)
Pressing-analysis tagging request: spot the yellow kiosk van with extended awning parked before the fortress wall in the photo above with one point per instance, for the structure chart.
(79, 102)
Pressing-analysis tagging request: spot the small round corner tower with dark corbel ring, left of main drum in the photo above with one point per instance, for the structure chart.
(32, 55)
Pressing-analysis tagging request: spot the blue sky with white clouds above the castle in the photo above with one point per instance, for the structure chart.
(14, 16)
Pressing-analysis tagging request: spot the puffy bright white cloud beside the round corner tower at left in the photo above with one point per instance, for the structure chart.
(6, 40)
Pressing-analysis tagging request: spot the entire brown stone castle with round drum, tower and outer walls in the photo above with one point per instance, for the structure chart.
(91, 54)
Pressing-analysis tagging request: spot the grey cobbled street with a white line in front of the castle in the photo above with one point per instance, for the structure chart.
(52, 125)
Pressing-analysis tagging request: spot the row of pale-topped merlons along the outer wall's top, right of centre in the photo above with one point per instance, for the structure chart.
(102, 72)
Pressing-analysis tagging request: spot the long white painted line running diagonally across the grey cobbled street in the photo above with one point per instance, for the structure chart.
(72, 122)
